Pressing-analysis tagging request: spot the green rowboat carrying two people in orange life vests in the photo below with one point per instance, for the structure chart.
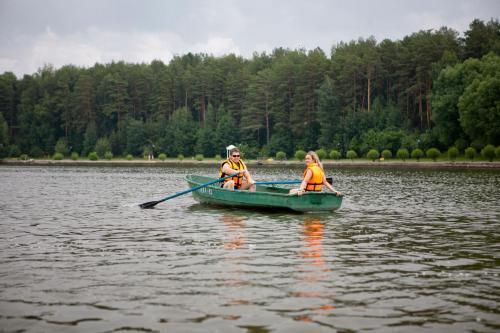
(270, 197)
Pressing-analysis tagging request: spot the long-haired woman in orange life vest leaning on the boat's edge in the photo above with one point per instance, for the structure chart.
(314, 176)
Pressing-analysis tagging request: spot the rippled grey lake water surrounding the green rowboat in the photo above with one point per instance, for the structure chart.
(409, 251)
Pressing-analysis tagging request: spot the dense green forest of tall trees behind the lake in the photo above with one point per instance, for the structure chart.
(430, 89)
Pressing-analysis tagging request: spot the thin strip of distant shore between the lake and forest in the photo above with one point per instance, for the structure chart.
(215, 163)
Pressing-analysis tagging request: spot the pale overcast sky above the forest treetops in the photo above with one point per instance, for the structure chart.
(83, 32)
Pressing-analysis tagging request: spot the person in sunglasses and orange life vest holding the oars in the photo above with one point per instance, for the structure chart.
(232, 165)
